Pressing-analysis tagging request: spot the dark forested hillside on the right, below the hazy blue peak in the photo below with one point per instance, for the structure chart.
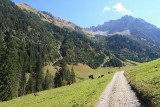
(125, 47)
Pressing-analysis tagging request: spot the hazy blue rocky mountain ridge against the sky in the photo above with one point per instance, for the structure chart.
(135, 26)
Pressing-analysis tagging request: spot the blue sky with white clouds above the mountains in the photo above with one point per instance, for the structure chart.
(86, 13)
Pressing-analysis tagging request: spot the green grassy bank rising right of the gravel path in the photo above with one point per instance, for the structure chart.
(145, 79)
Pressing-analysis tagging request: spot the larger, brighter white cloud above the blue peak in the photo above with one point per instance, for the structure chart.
(120, 8)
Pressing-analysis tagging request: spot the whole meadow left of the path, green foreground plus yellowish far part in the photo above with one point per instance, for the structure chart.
(84, 93)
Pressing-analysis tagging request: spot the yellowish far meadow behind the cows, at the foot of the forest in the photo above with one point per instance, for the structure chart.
(82, 71)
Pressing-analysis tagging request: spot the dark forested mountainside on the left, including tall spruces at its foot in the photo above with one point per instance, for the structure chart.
(27, 43)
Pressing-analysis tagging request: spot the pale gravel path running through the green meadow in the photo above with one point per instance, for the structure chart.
(118, 94)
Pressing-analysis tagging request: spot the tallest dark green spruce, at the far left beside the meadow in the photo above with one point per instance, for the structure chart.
(10, 68)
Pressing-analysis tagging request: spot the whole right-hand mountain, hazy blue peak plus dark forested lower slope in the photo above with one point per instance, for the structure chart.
(129, 38)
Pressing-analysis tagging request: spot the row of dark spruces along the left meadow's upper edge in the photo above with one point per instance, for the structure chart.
(13, 80)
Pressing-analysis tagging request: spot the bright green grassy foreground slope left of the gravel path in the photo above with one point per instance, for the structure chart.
(85, 93)
